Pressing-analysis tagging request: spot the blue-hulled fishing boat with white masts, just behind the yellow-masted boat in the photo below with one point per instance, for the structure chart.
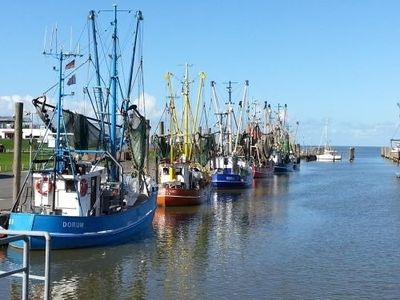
(231, 167)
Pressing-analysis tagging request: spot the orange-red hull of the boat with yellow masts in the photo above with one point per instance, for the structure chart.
(175, 196)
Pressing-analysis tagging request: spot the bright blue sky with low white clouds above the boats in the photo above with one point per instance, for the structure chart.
(327, 60)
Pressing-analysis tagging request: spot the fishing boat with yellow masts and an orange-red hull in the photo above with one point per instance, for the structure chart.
(182, 180)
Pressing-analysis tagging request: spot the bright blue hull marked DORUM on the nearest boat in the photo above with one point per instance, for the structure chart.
(80, 232)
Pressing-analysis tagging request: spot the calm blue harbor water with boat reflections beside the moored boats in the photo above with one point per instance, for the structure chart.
(328, 231)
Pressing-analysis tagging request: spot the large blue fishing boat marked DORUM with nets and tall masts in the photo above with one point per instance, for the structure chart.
(78, 189)
